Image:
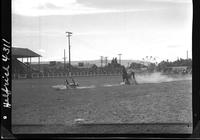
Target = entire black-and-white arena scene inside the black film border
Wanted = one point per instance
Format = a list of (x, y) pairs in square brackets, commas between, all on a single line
[(102, 66)]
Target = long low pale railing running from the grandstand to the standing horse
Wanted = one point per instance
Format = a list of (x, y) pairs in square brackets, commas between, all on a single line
[(61, 75)]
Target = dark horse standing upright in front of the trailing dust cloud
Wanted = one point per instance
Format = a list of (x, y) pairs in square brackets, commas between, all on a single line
[(128, 75)]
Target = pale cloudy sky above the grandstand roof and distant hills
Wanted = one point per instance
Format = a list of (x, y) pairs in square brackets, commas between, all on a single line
[(134, 28)]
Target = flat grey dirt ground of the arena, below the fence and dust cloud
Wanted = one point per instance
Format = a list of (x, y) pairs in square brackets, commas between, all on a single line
[(107, 107)]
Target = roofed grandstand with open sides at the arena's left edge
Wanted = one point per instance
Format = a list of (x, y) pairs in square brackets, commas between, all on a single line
[(23, 67)]
